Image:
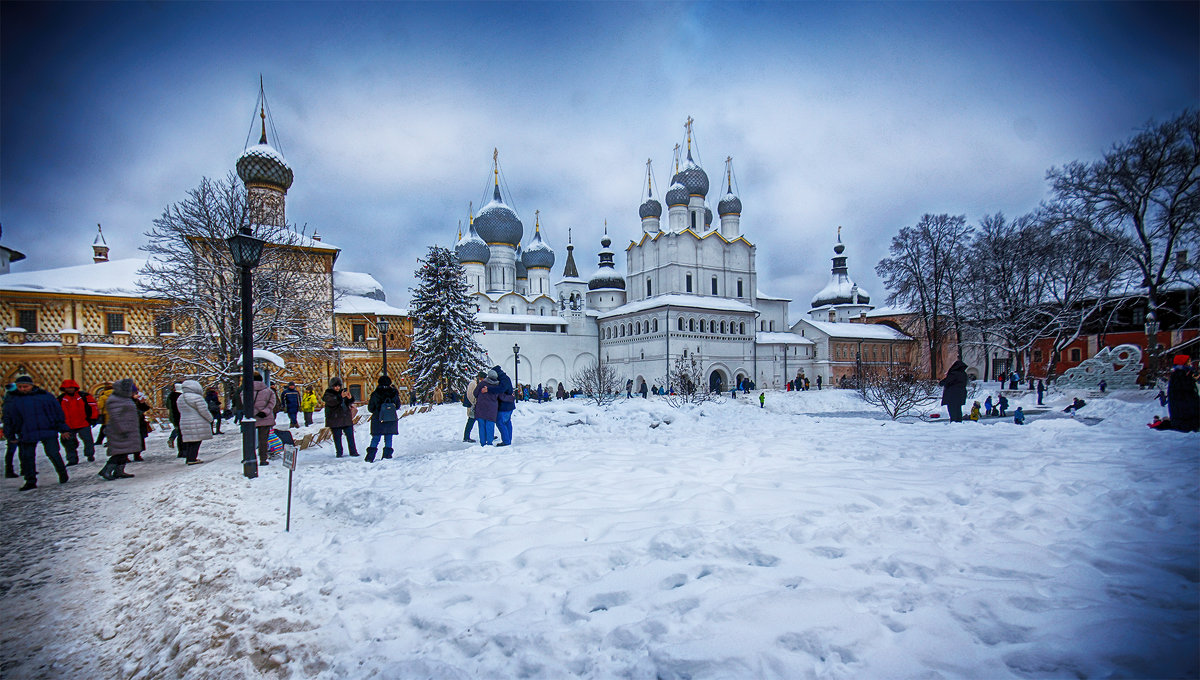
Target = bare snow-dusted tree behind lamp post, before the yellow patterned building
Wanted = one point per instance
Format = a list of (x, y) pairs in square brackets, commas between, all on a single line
[(191, 272)]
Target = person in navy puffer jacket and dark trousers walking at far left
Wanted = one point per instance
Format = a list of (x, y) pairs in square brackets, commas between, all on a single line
[(35, 417)]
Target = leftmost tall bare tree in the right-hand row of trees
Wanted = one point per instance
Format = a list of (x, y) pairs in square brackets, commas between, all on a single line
[(925, 272)]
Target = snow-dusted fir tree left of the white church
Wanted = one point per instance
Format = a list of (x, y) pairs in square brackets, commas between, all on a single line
[(445, 352)]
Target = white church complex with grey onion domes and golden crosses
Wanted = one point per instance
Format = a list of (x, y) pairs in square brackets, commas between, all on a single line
[(689, 290)]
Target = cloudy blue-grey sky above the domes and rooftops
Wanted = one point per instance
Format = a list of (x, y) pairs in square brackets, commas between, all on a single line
[(862, 116)]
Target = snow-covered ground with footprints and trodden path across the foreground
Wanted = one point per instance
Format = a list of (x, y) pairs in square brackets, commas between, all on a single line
[(640, 541)]
